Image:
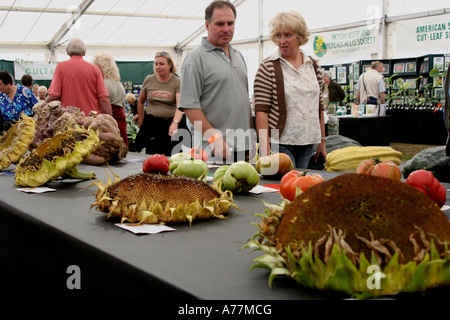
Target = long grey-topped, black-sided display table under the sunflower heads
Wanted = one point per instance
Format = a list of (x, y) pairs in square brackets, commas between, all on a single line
[(42, 235)]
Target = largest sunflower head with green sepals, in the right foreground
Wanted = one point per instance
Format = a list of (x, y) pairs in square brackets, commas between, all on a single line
[(358, 234)]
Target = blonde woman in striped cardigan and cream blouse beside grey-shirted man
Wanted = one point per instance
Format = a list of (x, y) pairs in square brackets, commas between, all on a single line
[(288, 94)]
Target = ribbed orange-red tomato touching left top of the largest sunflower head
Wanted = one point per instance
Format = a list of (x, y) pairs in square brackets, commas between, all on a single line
[(294, 181)]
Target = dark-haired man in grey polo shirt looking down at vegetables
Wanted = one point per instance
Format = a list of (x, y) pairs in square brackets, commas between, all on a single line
[(214, 88)]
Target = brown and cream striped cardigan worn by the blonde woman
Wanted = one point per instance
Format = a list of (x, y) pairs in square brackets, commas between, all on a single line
[(269, 95)]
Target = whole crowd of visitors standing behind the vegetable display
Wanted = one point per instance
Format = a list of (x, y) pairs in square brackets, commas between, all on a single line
[(210, 97)]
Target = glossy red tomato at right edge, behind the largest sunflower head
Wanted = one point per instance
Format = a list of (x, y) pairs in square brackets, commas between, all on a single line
[(425, 181)]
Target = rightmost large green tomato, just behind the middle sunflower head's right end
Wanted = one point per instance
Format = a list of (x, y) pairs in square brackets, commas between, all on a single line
[(240, 177)]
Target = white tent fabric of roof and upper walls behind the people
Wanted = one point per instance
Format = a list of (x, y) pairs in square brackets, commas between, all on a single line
[(134, 30)]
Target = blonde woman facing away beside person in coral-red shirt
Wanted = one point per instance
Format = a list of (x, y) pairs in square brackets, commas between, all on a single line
[(111, 76)]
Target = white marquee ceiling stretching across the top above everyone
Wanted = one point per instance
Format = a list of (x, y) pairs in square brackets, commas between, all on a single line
[(155, 24)]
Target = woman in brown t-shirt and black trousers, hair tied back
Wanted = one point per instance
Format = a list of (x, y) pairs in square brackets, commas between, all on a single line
[(158, 116)]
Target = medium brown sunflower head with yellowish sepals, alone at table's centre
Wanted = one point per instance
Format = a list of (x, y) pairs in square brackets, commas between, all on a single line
[(155, 198)]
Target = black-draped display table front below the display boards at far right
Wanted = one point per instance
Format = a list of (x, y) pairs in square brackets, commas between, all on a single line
[(421, 126)]
